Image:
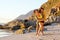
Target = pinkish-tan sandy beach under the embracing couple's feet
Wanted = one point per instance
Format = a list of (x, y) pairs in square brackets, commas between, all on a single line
[(52, 33)]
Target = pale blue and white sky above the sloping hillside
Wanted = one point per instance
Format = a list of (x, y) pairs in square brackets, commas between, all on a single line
[(10, 9)]
